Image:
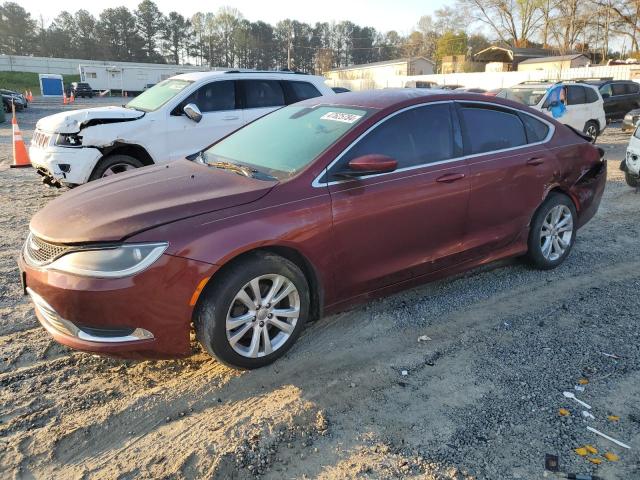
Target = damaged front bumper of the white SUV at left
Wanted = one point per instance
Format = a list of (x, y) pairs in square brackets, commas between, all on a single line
[(61, 165)]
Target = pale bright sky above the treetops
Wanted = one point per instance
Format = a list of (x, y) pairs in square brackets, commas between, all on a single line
[(384, 15)]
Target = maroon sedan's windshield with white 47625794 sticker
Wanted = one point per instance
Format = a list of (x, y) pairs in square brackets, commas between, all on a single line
[(287, 140)]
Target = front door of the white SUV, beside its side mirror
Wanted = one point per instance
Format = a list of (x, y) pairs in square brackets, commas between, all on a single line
[(217, 102)]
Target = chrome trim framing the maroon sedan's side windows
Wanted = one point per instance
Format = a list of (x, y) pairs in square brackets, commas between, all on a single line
[(316, 181)]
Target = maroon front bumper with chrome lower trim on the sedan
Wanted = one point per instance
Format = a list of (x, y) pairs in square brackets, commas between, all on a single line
[(147, 315)]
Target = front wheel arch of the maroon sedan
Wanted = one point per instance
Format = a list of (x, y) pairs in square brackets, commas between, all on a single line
[(316, 288)]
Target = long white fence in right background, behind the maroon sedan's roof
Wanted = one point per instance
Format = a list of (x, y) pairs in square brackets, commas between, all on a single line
[(491, 80)]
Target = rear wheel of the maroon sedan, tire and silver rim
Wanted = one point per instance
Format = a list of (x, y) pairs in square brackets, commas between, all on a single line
[(537, 254)]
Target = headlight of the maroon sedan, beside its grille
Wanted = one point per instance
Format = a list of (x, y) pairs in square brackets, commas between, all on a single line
[(116, 262)]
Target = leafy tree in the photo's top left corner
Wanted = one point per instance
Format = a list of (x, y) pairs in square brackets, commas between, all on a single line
[(17, 30)]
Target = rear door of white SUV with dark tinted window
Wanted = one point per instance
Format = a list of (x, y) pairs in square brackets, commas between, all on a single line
[(259, 97)]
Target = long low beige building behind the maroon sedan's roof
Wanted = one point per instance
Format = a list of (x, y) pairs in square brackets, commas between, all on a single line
[(386, 69)]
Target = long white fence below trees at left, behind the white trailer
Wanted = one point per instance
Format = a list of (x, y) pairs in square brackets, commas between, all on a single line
[(69, 66)]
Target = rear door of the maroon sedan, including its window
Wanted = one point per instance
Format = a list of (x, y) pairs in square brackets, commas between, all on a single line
[(509, 170)]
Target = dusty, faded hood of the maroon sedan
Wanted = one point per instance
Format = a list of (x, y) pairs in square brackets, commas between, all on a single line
[(110, 210)]
